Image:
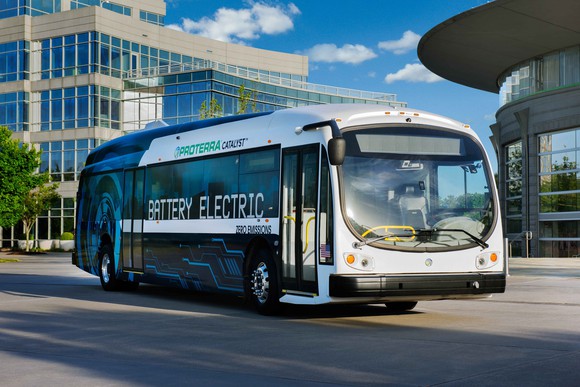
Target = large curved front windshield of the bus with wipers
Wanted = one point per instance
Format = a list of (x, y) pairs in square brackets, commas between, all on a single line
[(416, 188)]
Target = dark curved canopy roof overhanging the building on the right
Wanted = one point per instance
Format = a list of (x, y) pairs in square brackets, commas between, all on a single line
[(475, 47)]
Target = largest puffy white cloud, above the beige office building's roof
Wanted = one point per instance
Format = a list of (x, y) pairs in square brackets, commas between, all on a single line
[(238, 25)]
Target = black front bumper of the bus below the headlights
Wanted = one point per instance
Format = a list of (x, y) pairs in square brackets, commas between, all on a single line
[(384, 285)]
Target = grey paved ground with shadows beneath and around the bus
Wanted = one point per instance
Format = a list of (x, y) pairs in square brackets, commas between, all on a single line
[(58, 327)]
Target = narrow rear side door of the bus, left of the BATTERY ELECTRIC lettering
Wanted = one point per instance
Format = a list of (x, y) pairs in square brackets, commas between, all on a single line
[(133, 220)]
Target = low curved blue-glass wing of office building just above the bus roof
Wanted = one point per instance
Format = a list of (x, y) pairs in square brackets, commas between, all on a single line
[(177, 98)]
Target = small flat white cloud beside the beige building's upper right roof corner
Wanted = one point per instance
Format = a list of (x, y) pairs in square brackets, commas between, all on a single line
[(348, 53)]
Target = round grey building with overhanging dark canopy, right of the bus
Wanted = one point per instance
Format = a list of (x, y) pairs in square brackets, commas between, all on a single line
[(528, 52)]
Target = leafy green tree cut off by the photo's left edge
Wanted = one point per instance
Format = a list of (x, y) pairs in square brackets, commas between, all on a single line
[(18, 163)]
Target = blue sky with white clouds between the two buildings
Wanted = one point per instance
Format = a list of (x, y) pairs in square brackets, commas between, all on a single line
[(368, 45)]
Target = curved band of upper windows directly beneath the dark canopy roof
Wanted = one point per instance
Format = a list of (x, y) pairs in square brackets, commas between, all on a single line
[(547, 72)]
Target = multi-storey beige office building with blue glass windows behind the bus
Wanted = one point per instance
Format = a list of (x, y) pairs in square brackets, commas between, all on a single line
[(77, 73)]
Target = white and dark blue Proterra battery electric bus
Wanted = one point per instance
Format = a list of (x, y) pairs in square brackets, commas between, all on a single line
[(313, 205)]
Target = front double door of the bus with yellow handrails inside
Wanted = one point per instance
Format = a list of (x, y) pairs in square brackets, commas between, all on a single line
[(299, 214)]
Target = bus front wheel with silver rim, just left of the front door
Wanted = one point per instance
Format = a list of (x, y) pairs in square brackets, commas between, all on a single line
[(262, 287)]
